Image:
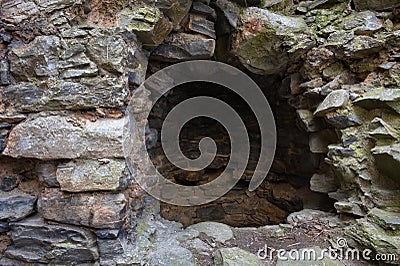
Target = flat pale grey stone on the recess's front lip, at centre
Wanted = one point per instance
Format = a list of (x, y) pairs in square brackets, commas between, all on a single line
[(220, 232)]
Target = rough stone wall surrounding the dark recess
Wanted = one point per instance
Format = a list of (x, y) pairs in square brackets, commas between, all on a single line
[(68, 68)]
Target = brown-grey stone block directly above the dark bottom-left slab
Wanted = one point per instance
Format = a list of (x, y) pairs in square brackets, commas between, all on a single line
[(94, 210)]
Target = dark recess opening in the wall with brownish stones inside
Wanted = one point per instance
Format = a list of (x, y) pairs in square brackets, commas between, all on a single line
[(286, 187)]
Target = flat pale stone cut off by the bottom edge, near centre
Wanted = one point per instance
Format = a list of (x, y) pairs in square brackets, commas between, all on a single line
[(235, 257)]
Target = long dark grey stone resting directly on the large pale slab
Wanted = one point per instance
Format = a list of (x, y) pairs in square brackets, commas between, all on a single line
[(59, 95)]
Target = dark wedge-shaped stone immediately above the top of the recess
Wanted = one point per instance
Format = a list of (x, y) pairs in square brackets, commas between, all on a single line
[(183, 46)]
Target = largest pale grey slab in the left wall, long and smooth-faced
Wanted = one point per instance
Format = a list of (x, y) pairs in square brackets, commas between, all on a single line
[(58, 137)]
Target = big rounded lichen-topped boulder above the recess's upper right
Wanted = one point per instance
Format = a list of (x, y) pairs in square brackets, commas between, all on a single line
[(266, 40)]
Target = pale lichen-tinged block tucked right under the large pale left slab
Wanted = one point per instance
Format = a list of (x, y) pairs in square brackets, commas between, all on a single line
[(90, 175)]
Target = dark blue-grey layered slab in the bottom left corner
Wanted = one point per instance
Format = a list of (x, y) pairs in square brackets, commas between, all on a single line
[(38, 242)]
